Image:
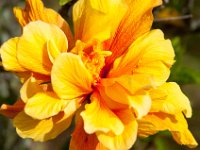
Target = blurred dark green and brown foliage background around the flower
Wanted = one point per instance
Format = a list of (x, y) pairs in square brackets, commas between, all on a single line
[(179, 20)]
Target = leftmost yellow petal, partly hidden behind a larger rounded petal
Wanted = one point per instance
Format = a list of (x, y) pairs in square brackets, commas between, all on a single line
[(8, 53)]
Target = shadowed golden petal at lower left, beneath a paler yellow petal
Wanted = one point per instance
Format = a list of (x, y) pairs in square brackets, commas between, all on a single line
[(41, 130)]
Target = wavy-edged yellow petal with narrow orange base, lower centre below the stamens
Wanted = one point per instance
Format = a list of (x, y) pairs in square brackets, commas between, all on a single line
[(97, 117)]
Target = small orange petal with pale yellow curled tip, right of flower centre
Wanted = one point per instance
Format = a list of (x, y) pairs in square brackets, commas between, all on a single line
[(140, 101)]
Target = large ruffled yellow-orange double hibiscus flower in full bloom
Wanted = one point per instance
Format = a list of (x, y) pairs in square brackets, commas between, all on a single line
[(113, 77)]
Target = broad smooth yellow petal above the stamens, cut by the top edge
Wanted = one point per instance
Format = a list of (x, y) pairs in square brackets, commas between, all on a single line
[(97, 19)]
